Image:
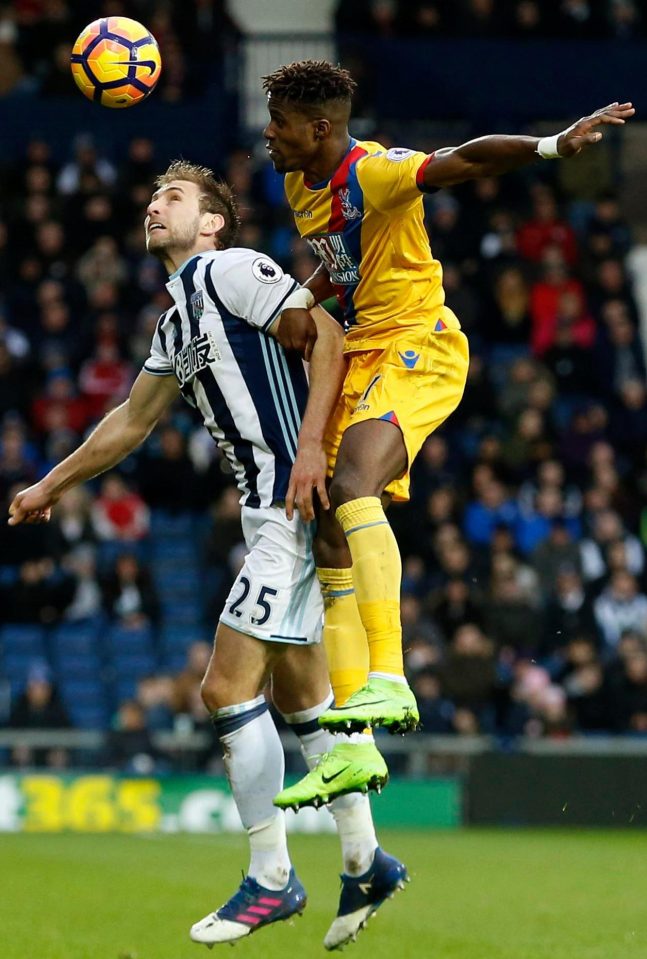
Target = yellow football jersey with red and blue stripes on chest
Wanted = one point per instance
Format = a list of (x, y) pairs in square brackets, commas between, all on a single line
[(366, 226)]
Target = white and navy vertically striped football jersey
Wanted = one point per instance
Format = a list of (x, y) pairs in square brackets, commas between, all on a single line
[(251, 393)]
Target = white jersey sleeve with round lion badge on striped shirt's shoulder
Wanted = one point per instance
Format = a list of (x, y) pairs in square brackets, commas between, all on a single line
[(251, 286)]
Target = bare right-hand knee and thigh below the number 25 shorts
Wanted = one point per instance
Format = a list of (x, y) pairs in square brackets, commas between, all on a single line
[(300, 678)]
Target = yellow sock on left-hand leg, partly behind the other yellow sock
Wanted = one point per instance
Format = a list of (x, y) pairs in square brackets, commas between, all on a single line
[(344, 634)]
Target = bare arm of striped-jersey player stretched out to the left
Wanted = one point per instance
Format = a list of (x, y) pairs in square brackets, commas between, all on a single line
[(117, 435)]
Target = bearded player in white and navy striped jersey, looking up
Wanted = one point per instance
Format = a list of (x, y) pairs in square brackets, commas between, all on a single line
[(216, 346)]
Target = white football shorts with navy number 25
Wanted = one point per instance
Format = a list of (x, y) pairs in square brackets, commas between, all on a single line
[(276, 596)]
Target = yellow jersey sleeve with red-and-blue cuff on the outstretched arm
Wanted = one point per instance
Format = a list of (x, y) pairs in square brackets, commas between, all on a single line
[(393, 179)]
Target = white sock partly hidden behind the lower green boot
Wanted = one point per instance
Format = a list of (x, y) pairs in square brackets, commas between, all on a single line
[(352, 813)]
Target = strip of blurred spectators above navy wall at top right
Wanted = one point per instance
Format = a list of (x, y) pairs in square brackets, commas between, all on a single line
[(512, 19)]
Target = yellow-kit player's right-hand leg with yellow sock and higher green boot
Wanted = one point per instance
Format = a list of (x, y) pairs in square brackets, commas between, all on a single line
[(372, 453)]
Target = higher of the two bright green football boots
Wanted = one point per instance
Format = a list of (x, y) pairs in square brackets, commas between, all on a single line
[(382, 702)]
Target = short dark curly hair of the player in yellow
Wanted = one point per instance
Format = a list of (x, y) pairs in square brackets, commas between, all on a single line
[(310, 82)]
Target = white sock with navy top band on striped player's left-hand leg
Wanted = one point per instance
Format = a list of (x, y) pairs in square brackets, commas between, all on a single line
[(254, 763)]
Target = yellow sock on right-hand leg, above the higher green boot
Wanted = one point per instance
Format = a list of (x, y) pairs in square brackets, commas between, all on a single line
[(377, 574)]
